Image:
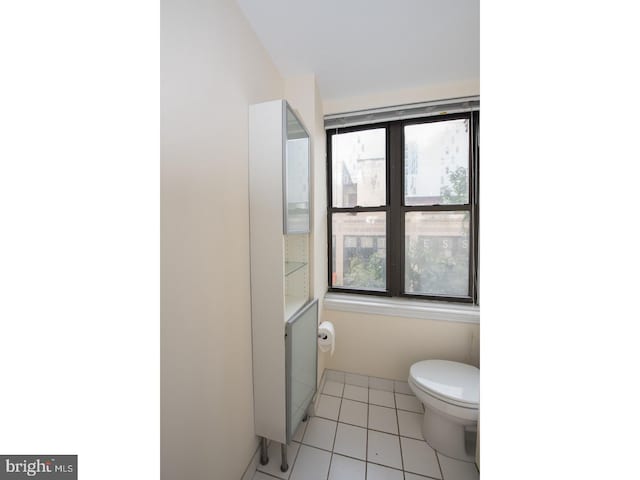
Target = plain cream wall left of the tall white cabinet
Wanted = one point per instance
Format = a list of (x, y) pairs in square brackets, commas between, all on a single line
[(213, 67)]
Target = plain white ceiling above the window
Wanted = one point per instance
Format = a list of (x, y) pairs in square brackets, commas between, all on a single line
[(356, 47)]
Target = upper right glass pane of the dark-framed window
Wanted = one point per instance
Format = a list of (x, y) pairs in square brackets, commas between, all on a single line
[(436, 163)]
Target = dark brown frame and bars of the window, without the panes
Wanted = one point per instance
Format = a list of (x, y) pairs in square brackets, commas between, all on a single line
[(395, 209)]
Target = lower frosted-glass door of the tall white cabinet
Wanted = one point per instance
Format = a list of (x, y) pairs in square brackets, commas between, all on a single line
[(301, 364)]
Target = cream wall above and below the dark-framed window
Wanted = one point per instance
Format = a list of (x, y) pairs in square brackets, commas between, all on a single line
[(385, 346)]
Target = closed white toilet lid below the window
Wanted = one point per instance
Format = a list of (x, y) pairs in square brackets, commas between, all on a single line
[(450, 381)]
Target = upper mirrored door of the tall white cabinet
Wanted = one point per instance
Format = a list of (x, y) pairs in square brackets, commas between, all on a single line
[(296, 174)]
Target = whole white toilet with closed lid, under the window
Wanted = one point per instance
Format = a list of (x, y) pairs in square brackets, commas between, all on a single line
[(450, 393)]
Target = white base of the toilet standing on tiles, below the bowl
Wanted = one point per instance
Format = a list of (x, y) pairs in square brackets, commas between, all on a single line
[(450, 437)]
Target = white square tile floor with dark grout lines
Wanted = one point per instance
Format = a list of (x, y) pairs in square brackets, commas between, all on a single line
[(364, 428)]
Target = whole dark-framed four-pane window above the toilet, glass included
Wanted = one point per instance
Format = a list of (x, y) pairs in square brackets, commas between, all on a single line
[(403, 212)]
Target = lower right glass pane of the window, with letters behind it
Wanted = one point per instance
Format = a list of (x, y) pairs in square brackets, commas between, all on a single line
[(437, 253)]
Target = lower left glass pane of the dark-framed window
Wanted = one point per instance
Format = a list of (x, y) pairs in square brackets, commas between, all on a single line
[(359, 254)]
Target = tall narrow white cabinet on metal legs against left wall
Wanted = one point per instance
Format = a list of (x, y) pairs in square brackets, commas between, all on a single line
[(284, 319)]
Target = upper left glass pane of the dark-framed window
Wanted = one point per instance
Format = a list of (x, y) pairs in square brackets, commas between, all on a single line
[(359, 168)]
